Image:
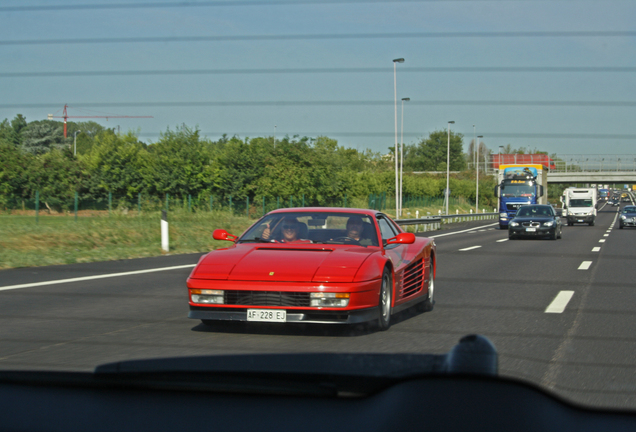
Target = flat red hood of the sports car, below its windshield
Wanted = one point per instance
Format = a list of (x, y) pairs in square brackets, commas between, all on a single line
[(277, 263)]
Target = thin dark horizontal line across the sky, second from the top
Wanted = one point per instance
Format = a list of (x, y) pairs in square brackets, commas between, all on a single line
[(323, 36)]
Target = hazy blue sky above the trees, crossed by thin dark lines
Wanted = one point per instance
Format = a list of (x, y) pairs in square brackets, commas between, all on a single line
[(555, 76)]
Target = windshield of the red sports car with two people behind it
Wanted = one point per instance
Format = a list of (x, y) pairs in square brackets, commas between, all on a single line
[(314, 227)]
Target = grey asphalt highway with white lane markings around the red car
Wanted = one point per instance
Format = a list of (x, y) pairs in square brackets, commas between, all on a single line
[(561, 313)]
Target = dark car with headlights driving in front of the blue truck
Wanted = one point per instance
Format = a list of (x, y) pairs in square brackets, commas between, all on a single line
[(535, 221)]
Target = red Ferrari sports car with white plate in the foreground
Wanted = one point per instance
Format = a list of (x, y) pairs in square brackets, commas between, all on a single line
[(315, 265)]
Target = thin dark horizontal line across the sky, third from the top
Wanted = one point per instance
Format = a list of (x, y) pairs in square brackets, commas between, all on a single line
[(358, 70)]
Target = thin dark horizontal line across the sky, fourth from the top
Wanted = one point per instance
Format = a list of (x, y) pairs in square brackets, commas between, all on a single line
[(331, 103)]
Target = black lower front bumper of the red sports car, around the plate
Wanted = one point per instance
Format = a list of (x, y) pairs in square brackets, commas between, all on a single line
[(312, 316)]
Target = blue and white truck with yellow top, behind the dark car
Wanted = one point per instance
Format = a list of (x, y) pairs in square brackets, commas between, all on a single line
[(519, 185)]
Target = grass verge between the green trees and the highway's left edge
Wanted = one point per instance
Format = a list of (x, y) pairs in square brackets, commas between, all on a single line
[(62, 240)]
